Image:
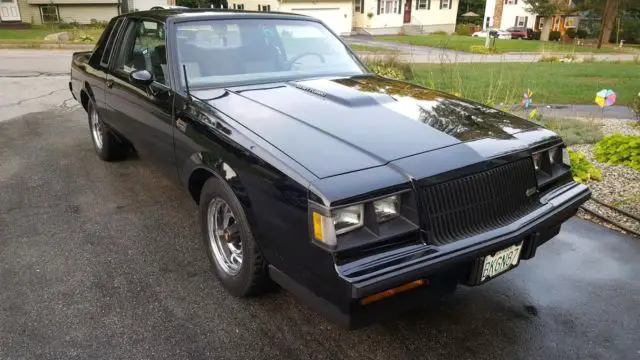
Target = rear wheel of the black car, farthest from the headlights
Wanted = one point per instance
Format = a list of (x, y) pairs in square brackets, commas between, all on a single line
[(110, 148)]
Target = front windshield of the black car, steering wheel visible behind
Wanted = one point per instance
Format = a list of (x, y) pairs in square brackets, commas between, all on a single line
[(241, 51)]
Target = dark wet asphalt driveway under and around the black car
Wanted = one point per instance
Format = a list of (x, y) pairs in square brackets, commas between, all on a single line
[(104, 261)]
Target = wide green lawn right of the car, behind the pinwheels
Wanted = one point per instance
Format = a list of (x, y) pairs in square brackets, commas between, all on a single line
[(551, 83)]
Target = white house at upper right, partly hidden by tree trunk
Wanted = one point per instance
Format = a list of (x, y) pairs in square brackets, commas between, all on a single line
[(503, 14)]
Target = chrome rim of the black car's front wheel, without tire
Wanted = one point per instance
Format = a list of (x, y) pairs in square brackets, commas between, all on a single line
[(224, 236)]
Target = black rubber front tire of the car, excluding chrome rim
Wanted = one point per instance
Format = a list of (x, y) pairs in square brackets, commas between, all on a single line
[(252, 278)]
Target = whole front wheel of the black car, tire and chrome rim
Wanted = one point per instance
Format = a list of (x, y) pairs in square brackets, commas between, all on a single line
[(234, 254)]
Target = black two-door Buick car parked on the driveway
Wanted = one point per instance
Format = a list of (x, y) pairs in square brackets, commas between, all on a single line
[(357, 193)]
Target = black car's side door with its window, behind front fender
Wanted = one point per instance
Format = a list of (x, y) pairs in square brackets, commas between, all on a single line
[(142, 113)]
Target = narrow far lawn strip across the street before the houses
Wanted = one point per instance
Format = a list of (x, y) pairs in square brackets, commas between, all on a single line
[(464, 43)]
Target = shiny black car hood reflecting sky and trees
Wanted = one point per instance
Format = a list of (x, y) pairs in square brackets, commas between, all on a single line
[(339, 125)]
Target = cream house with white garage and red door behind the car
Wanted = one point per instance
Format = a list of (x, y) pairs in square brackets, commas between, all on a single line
[(367, 16)]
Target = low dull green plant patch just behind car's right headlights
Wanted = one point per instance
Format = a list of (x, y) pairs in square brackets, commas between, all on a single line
[(573, 131)]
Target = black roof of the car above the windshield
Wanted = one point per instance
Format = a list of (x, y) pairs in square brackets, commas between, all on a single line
[(187, 14)]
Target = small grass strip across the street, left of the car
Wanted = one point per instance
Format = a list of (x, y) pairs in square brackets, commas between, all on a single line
[(36, 34)]
